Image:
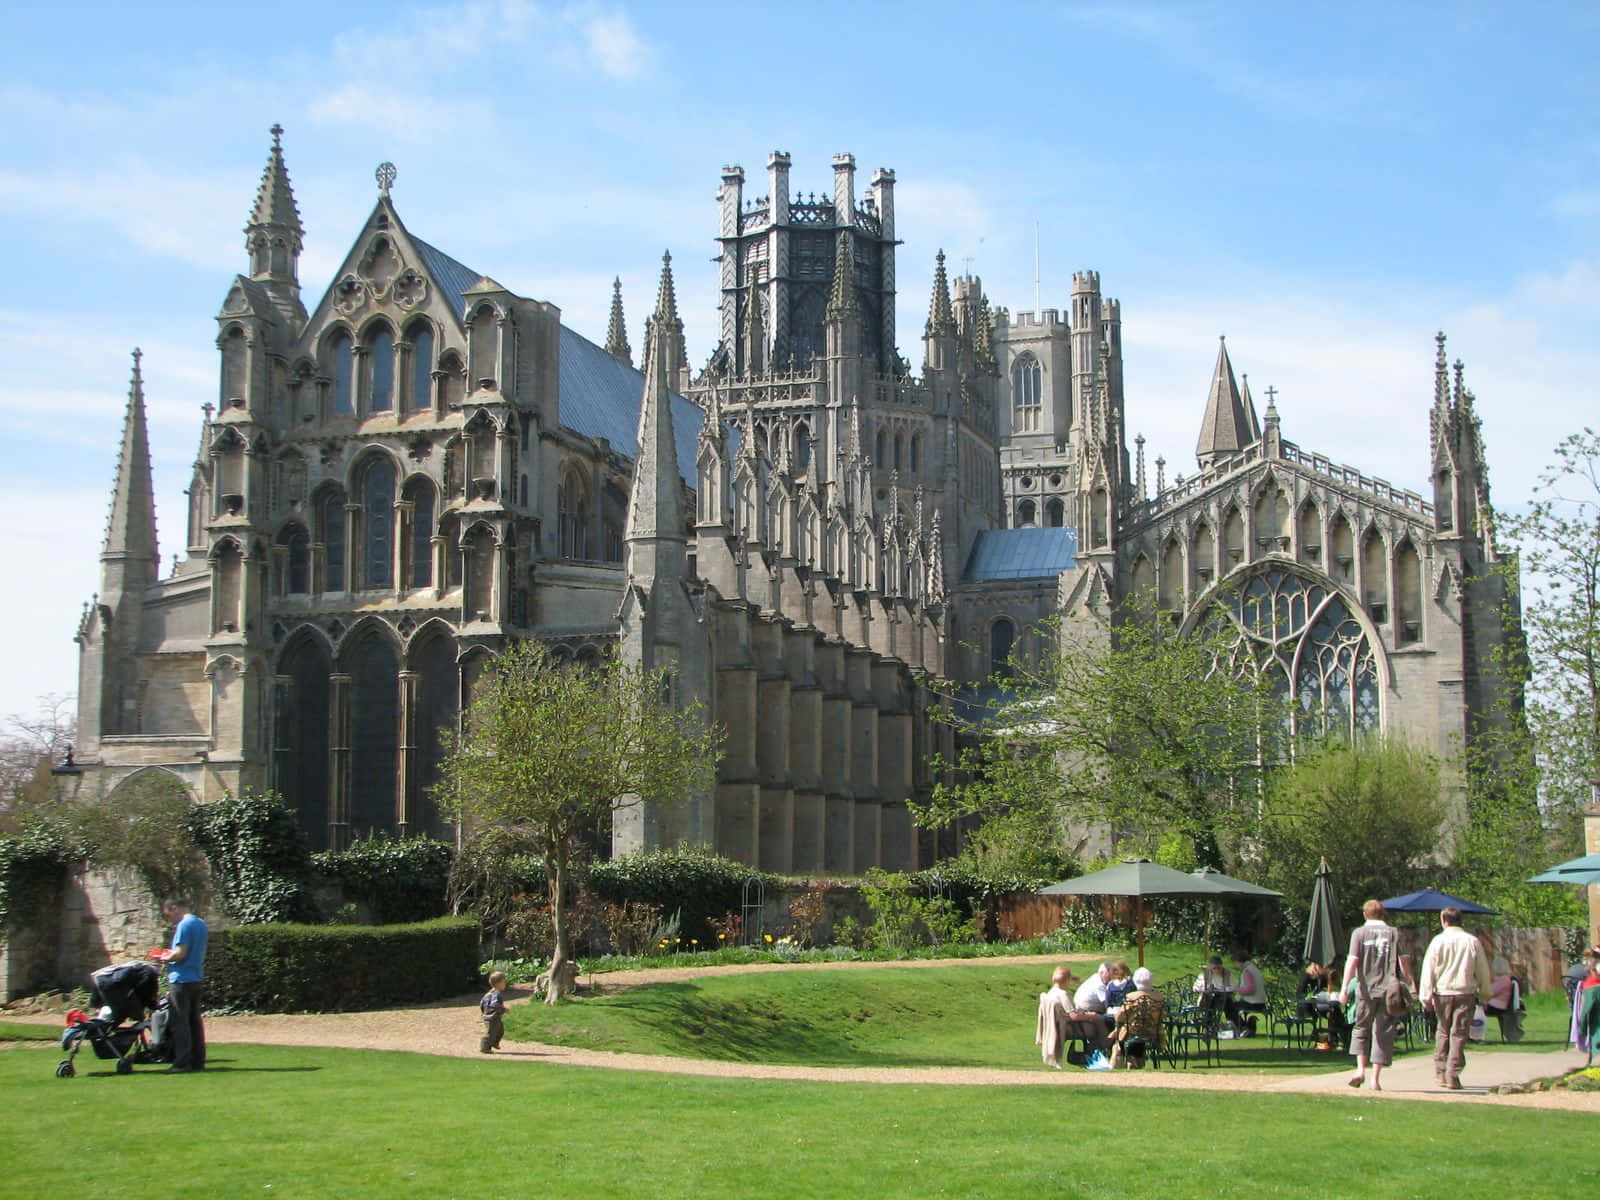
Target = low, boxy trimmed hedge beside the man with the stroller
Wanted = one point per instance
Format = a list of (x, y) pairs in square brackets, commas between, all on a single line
[(342, 969)]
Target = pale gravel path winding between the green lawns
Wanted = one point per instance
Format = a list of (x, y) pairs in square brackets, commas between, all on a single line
[(452, 1030)]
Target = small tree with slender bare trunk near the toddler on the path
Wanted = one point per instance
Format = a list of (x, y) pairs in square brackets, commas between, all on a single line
[(551, 754)]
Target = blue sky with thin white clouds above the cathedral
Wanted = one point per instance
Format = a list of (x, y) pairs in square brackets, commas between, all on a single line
[(1327, 188)]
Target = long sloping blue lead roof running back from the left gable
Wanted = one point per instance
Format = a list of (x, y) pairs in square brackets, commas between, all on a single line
[(601, 396)]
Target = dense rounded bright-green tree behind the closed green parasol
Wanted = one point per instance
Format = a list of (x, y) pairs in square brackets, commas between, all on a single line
[(1374, 809)]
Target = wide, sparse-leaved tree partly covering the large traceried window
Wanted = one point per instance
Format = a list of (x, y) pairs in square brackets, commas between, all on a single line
[(1137, 729)]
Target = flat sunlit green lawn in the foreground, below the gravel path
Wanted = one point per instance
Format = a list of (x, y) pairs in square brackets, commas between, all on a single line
[(290, 1122)]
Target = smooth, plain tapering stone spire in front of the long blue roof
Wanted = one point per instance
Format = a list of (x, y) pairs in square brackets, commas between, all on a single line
[(655, 535)]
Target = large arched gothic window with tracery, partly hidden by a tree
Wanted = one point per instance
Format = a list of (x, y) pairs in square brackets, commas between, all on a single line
[(1305, 638)]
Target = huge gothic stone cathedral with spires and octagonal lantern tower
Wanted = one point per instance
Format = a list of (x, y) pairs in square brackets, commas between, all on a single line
[(807, 535)]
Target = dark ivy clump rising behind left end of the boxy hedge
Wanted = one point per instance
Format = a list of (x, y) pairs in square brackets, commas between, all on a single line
[(258, 855)]
